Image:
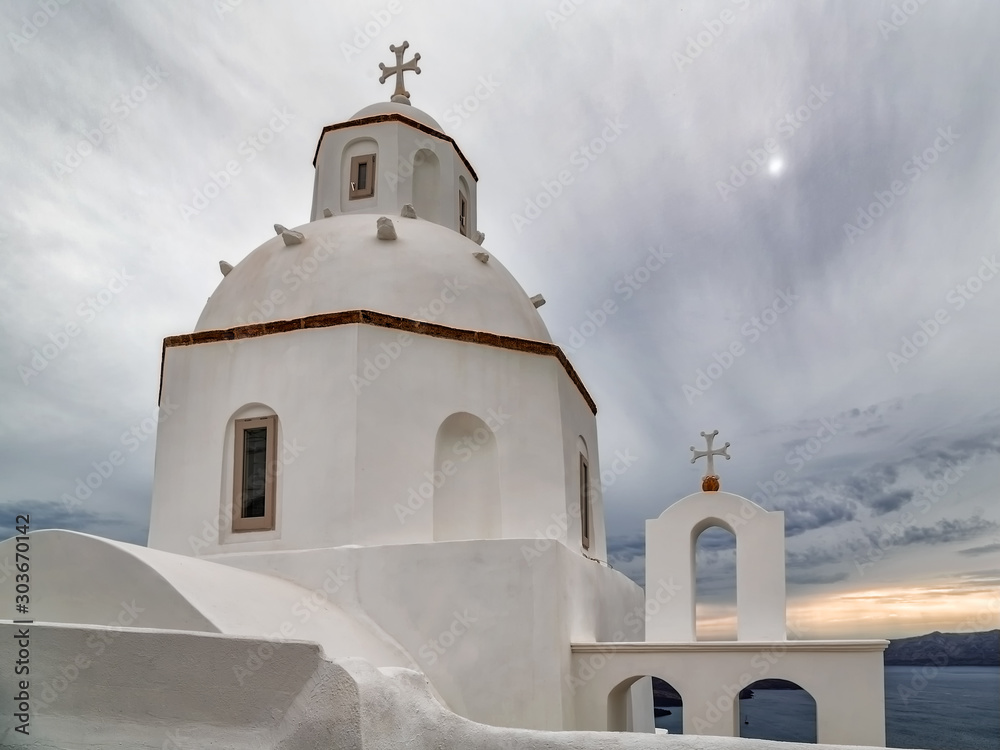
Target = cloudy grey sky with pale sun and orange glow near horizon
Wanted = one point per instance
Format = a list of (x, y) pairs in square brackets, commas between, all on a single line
[(778, 220)]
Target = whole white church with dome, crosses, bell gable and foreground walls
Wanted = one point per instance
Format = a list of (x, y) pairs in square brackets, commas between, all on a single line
[(377, 518)]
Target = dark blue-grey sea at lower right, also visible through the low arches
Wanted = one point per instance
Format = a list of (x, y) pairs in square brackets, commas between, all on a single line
[(947, 708)]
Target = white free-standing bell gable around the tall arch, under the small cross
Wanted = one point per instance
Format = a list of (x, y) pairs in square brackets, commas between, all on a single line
[(760, 565)]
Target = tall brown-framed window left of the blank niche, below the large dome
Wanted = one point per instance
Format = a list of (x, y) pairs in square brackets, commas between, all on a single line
[(253, 476)]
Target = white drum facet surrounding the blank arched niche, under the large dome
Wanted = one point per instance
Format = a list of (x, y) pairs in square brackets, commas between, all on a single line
[(516, 394)]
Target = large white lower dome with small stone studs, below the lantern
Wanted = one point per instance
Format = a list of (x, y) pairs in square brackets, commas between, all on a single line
[(429, 273)]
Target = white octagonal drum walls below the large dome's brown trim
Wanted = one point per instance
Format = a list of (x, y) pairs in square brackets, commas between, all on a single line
[(355, 467)]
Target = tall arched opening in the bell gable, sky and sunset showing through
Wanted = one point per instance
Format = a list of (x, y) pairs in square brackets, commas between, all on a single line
[(715, 584)]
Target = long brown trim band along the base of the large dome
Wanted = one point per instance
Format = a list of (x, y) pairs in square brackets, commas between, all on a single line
[(381, 320)]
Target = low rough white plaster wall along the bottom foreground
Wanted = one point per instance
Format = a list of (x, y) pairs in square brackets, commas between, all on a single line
[(157, 689)]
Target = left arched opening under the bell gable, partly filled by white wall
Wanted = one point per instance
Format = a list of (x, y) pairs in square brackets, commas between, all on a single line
[(645, 704)]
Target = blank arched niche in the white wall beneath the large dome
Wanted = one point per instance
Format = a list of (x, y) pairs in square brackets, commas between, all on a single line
[(466, 480)]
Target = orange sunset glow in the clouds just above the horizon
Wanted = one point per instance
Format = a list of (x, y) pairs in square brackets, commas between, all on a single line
[(889, 612)]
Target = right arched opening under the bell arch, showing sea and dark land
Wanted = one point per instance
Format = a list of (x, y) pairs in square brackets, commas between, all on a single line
[(775, 709)]
